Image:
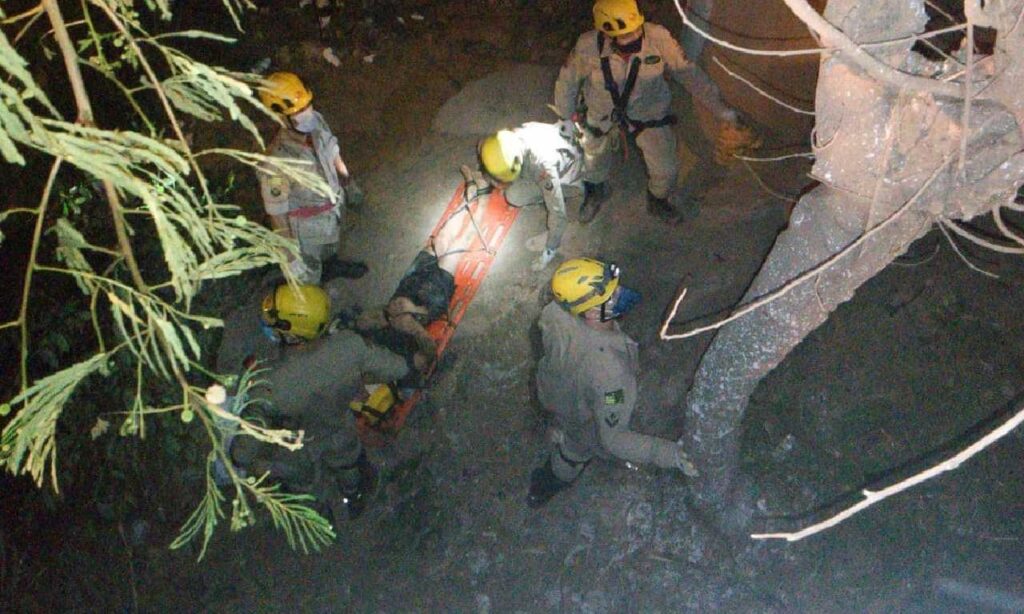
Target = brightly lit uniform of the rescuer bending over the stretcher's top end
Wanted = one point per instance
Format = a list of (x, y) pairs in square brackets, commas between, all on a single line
[(552, 162)]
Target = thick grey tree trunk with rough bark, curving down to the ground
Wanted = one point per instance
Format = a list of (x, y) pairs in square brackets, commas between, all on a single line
[(884, 156)]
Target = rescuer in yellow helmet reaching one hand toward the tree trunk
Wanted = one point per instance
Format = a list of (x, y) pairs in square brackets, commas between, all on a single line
[(587, 379)]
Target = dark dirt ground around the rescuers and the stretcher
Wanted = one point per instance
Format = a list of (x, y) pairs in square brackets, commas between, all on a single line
[(899, 377)]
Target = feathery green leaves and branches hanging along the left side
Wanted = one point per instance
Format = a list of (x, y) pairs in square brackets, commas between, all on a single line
[(145, 185)]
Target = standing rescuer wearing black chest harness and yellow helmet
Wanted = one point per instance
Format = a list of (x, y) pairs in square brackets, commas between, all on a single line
[(621, 69)]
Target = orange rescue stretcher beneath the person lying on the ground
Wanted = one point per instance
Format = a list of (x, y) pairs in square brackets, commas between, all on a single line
[(381, 414)]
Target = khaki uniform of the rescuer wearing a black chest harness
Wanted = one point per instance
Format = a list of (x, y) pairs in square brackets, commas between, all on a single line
[(648, 108)]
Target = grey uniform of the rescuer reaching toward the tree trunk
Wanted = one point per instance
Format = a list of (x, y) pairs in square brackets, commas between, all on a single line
[(588, 380)]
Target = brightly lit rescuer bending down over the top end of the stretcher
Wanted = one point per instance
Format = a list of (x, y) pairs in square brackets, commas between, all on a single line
[(536, 163)]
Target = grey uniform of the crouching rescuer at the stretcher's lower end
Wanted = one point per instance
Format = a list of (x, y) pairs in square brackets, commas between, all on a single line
[(312, 385)]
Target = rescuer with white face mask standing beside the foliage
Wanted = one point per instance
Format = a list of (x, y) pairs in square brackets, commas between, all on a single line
[(296, 211)]
